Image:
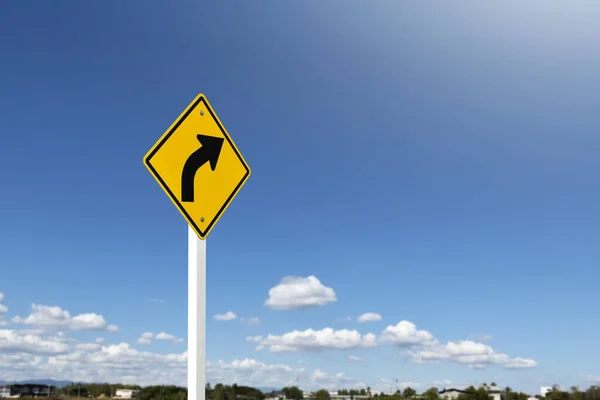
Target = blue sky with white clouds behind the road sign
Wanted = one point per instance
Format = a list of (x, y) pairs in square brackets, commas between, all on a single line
[(431, 163)]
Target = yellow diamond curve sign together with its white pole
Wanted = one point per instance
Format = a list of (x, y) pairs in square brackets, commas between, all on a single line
[(201, 170)]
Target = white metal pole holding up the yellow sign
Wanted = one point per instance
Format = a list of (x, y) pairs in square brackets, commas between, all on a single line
[(196, 316)]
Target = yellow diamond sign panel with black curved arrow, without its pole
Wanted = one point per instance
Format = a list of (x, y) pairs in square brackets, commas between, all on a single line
[(198, 166)]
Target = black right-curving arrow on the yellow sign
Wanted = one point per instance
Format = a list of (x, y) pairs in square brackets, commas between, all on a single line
[(209, 152)]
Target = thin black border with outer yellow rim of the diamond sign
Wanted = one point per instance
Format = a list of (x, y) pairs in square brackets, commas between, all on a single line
[(147, 160)]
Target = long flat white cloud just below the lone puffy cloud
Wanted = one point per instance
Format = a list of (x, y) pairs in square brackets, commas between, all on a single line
[(315, 340)]
